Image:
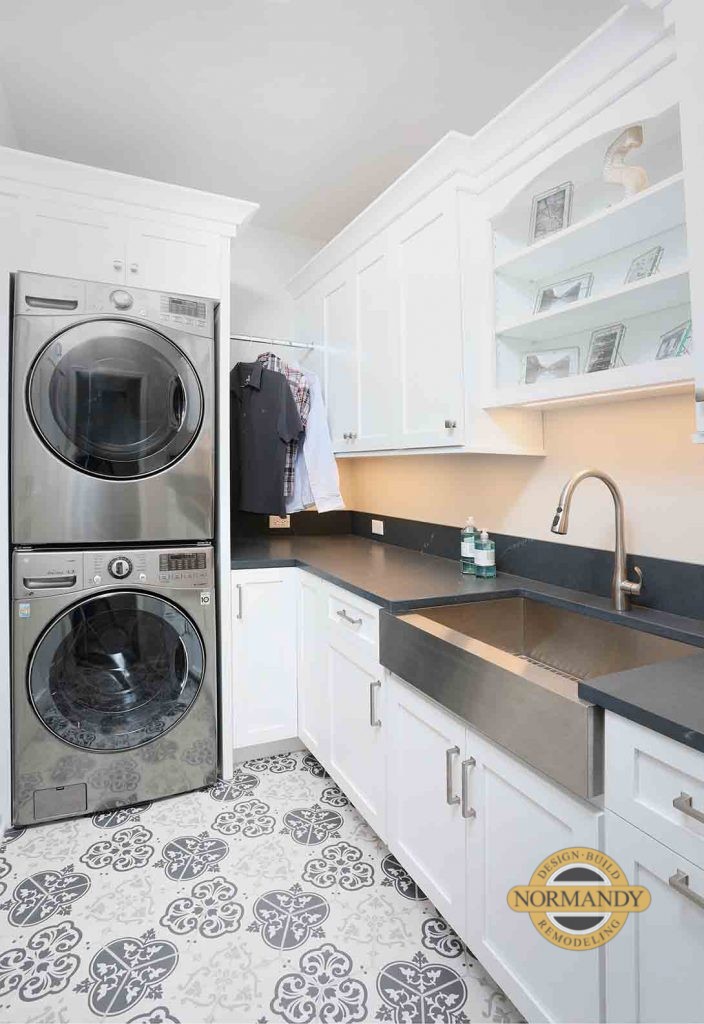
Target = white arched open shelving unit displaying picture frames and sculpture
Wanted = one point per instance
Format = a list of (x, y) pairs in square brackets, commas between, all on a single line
[(599, 250)]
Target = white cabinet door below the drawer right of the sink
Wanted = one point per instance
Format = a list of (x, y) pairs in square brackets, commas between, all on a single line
[(653, 966)]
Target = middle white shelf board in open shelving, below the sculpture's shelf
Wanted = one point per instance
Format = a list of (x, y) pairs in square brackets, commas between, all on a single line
[(637, 300)]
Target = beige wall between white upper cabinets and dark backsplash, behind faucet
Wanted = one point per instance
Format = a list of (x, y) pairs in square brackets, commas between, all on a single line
[(644, 445)]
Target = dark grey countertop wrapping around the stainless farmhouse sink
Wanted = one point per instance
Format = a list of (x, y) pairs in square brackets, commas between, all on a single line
[(668, 698)]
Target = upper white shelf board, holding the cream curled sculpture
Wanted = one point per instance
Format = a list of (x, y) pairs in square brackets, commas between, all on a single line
[(650, 212)]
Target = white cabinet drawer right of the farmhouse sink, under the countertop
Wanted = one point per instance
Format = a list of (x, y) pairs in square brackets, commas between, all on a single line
[(657, 785)]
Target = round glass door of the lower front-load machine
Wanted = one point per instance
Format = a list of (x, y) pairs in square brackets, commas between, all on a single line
[(116, 671)]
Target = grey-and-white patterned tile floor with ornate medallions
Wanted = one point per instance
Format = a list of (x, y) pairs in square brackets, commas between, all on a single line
[(265, 900)]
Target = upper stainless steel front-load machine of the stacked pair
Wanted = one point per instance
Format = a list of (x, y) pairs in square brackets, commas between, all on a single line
[(112, 414)]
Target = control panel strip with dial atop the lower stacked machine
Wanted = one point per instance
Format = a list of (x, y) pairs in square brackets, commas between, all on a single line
[(46, 574)]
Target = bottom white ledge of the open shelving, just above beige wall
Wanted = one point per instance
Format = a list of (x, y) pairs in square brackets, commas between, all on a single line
[(637, 381)]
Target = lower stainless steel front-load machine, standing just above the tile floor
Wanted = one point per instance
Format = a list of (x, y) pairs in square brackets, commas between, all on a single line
[(114, 678)]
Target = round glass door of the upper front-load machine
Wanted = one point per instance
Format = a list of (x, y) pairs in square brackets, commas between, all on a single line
[(115, 399)]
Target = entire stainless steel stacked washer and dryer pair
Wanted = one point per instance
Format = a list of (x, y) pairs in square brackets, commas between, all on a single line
[(114, 629)]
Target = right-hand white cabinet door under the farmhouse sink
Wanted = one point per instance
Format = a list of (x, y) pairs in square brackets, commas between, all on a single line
[(522, 818)]
